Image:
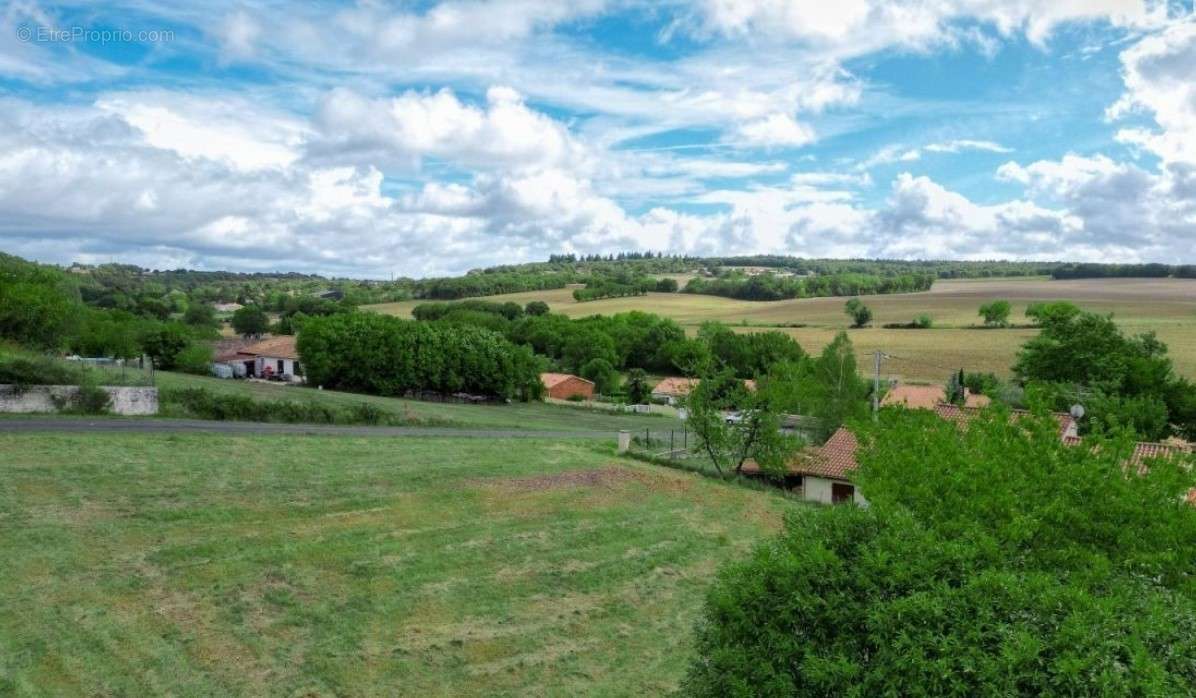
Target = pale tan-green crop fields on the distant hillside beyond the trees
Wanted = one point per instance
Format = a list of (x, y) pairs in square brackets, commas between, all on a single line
[(1167, 307)]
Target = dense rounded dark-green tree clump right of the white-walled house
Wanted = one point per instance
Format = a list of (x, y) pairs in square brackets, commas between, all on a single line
[(383, 356)]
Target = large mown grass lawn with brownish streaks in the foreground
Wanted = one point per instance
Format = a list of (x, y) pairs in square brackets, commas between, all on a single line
[(200, 565)]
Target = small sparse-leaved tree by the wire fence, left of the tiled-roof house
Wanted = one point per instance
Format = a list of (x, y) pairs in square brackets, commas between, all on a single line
[(755, 434)]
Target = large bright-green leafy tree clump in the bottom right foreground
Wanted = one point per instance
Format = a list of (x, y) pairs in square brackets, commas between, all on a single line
[(991, 561)]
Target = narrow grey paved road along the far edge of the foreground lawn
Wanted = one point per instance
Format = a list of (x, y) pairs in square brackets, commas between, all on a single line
[(155, 426)]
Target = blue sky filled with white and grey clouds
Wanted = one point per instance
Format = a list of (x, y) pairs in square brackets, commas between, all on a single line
[(428, 138)]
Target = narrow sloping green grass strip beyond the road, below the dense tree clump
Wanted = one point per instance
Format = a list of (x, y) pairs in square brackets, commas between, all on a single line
[(532, 417)]
